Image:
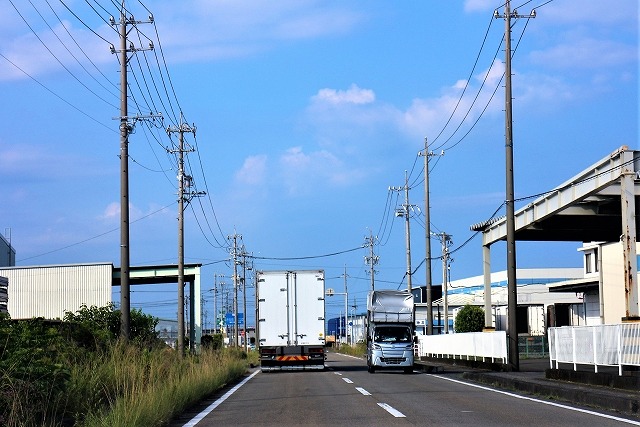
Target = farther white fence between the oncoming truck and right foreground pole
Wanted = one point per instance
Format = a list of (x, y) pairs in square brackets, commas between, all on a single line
[(470, 345)]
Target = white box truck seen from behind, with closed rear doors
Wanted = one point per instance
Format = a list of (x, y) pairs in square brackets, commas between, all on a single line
[(290, 313)]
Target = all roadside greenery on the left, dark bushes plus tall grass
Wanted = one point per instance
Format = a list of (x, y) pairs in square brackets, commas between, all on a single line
[(76, 373)]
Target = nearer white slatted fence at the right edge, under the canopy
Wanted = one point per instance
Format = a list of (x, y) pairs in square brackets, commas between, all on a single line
[(599, 345)]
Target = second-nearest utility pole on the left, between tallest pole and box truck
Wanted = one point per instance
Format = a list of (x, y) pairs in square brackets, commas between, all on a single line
[(184, 182)]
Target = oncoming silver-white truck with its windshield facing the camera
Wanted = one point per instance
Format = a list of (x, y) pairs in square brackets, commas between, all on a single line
[(390, 330)]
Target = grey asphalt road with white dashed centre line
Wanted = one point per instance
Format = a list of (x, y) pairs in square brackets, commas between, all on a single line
[(347, 395)]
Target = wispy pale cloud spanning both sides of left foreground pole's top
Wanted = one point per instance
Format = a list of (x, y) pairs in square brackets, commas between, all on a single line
[(197, 31)]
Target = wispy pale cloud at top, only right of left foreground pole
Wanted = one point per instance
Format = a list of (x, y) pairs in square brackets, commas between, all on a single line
[(227, 29)]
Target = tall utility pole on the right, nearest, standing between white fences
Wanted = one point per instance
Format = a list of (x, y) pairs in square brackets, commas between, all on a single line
[(512, 289)]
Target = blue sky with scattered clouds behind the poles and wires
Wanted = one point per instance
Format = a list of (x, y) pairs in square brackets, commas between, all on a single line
[(306, 113)]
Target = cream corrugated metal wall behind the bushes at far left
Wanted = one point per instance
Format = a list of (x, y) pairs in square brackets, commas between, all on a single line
[(49, 291)]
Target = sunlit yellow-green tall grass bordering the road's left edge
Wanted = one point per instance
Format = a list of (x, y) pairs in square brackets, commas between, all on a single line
[(148, 388)]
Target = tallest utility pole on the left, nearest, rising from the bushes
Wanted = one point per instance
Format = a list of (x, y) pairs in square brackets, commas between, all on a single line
[(126, 127)]
